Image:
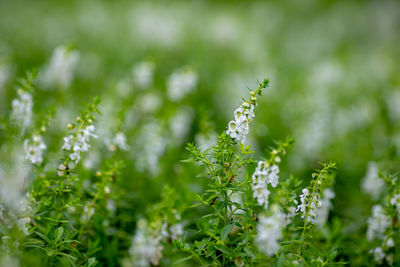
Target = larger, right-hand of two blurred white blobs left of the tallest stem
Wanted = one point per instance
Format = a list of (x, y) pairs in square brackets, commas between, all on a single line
[(180, 83)]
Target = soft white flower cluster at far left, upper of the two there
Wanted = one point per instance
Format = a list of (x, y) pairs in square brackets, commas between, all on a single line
[(22, 109)]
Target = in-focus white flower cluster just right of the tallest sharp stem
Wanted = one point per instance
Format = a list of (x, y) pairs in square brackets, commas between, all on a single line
[(262, 176)]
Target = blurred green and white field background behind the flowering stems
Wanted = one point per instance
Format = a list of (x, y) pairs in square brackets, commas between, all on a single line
[(334, 68)]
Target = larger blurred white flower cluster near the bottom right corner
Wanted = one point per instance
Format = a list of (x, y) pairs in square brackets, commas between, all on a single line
[(377, 223)]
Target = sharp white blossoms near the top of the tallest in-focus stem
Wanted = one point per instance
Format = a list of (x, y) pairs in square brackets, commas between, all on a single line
[(238, 129)]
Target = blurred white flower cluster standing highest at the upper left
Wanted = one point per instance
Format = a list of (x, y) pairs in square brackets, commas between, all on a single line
[(60, 71)]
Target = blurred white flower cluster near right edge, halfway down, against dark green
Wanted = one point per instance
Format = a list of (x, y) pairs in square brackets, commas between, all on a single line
[(371, 183)]
